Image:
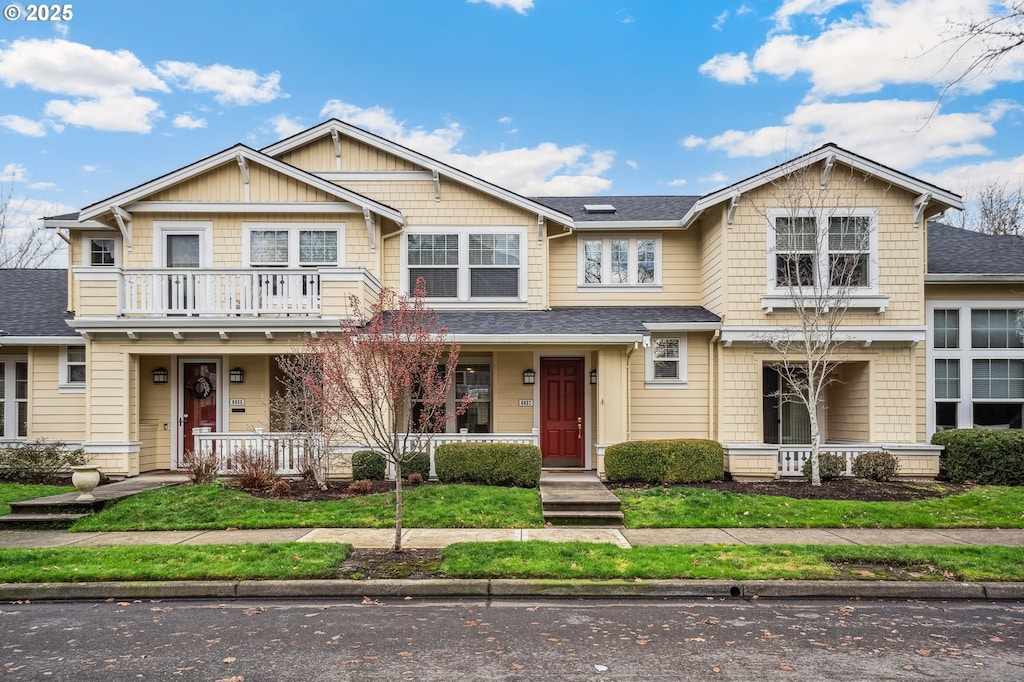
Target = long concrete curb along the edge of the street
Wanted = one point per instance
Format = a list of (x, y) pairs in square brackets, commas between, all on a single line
[(487, 589)]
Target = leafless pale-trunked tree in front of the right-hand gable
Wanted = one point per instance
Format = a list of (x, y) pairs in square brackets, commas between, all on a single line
[(822, 246)]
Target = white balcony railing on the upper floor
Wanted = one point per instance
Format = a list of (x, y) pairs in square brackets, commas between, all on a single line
[(221, 292)]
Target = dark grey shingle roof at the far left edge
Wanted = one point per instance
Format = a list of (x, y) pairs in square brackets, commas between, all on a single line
[(33, 303)]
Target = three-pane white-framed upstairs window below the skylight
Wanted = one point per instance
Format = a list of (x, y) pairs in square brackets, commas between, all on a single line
[(620, 262)]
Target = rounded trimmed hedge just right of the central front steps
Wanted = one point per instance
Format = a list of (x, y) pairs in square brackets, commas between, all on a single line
[(675, 461)]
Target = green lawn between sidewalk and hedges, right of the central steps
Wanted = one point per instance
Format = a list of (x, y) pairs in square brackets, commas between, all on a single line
[(983, 507)]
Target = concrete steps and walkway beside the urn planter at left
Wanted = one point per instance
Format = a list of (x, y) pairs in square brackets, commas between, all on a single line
[(61, 511)]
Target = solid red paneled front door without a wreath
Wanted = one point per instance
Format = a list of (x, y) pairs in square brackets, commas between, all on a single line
[(562, 412)]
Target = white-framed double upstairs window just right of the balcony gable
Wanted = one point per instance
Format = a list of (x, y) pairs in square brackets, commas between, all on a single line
[(466, 265)]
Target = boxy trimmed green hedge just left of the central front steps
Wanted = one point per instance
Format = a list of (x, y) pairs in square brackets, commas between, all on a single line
[(489, 464)]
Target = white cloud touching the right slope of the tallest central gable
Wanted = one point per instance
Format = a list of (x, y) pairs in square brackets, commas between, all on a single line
[(544, 169)]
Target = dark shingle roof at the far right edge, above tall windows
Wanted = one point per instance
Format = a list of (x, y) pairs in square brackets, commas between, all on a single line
[(957, 251)]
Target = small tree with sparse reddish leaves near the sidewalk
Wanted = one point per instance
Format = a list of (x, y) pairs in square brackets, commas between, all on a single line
[(382, 381)]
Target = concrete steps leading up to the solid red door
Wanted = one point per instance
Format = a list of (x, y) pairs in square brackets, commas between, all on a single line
[(578, 498)]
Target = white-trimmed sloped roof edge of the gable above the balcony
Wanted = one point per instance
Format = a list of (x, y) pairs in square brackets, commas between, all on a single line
[(229, 155)]
